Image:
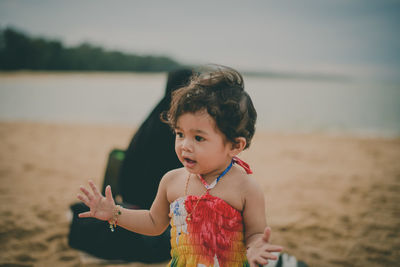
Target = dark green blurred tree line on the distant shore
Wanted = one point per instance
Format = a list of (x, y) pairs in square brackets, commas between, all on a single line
[(19, 51)]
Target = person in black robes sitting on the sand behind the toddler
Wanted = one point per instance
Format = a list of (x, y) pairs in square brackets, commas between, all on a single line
[(149, 156)]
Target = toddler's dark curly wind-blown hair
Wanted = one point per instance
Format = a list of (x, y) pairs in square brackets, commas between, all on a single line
[(219, 91)]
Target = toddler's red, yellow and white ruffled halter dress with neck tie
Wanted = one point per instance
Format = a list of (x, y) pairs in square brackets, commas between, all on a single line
[(207, 231)]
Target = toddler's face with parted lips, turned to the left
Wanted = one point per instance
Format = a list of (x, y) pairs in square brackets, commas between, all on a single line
[(200, 146)]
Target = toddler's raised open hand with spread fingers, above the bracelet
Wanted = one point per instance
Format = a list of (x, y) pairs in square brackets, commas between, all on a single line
[(100, 207)]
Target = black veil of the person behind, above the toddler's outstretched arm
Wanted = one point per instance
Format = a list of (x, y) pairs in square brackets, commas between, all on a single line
[(151, 152)]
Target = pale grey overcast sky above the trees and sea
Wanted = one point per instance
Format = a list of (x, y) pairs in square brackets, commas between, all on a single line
[(359, 37)]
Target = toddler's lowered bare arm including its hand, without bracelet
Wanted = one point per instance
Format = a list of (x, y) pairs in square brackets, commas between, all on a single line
[(256, 232)]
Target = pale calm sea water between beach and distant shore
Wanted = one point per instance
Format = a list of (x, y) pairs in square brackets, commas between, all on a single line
[(348, 106)]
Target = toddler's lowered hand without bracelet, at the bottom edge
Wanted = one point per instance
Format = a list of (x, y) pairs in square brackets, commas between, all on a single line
[(259, 252)]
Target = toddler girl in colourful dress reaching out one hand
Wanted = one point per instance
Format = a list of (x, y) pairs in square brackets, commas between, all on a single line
[(216, 210)]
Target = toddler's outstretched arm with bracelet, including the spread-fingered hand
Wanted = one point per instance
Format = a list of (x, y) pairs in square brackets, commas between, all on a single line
[(147, 222)]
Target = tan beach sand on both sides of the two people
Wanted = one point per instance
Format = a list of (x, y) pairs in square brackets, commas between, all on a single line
[(331, 200)]
